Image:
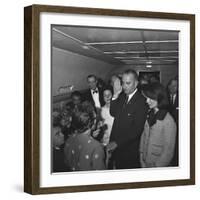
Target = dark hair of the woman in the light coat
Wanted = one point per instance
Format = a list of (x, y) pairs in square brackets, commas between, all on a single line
[(156, 91)]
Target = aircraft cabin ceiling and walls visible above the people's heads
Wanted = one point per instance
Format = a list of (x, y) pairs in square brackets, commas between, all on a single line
[(79, 51)]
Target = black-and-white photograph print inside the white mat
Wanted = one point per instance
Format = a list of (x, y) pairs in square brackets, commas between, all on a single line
[(114, 98)]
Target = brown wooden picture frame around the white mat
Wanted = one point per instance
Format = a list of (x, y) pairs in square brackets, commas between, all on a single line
[(32, 92)]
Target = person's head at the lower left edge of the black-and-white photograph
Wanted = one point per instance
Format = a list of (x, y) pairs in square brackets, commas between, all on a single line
[(58, 136)]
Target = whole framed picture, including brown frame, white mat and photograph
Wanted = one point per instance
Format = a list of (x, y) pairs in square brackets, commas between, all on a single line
[(109, 99)]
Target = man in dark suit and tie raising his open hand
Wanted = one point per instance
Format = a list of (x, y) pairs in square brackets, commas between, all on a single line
[(129, 110)]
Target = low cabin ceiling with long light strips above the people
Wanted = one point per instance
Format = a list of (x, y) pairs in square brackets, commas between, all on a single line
[(119, 46)]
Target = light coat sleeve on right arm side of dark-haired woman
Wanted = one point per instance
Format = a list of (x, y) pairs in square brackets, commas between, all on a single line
[(169, 137)]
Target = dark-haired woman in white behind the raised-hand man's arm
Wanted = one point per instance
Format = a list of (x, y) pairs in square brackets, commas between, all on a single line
[(105, 114)]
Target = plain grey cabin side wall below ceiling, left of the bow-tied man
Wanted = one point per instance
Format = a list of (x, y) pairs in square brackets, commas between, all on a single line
[(69, 68)]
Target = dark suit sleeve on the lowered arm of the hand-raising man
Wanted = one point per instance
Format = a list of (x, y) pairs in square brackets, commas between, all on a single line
[(137, 126)]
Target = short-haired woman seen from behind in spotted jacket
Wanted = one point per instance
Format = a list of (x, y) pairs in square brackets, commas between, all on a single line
[(82, 151)]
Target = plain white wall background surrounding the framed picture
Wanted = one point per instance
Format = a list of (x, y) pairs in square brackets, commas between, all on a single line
[(11, 101)]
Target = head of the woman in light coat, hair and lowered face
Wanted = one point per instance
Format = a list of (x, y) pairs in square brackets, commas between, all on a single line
[(155, 95)]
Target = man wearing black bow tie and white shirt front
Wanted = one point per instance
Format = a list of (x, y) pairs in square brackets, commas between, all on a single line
[(94, 94)]
